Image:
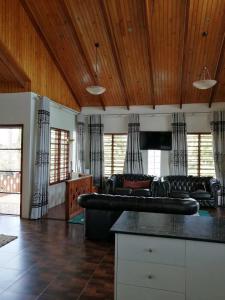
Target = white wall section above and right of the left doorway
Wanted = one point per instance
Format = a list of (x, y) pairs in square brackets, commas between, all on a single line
[(18, 108)]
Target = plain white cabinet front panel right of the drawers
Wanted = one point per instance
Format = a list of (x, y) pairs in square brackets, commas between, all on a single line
[(205, 263)]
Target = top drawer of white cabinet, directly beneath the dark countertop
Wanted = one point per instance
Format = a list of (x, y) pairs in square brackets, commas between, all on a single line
[(151, 249)]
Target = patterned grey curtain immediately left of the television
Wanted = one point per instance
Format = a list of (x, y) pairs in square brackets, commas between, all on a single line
[(133, 160)]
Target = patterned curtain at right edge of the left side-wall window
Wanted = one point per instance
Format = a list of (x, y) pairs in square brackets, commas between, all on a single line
[(80, 144)]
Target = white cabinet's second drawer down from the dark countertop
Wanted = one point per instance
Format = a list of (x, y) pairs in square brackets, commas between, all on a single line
[(155, 276)]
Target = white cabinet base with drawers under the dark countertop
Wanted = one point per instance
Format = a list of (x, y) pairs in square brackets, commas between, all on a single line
[(153, 268)]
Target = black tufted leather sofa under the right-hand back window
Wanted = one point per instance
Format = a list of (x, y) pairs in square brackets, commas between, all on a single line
[(203, 189)]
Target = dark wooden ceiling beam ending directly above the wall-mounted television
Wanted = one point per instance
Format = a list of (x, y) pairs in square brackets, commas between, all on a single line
[(148, 21)]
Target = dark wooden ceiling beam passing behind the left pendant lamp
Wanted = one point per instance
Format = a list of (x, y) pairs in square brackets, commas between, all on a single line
[(78, 41)]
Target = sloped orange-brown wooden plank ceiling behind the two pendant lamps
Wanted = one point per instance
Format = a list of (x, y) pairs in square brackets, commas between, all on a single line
[(150, 51)]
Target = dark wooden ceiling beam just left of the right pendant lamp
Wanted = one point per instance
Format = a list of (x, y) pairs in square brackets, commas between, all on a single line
[(185, 33)]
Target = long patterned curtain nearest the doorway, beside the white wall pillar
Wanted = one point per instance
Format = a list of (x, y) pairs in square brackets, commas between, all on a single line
[(39, 205)]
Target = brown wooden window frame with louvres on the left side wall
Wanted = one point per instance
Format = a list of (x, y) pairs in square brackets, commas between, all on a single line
[(59, 157)]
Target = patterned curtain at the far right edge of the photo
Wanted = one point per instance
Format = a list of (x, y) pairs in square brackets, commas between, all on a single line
[(218, 132)]
